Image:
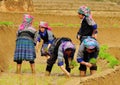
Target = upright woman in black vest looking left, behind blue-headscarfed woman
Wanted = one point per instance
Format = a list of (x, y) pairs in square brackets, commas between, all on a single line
[(88, 26)]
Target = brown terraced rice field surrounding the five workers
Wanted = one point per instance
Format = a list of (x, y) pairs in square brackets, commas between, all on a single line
[(61, 15)]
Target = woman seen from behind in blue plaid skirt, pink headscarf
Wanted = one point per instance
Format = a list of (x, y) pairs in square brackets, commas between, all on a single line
[(25, 43)]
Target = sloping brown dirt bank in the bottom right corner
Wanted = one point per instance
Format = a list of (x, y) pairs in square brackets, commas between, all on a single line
[(107, 77)]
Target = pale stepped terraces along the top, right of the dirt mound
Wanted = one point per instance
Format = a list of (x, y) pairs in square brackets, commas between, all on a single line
[(70, 7)]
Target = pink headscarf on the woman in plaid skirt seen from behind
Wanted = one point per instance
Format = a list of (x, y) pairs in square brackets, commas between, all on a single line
[(27, 21)]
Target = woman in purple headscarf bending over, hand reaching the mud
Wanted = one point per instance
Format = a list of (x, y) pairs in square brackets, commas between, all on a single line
[(62, 50)]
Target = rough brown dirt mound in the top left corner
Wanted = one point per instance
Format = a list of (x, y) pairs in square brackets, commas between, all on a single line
[(16, 5)]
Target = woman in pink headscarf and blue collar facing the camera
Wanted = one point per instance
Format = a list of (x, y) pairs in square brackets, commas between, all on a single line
[(46, 35)]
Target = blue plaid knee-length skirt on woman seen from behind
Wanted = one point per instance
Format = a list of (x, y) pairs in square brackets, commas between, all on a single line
[(25, 50)]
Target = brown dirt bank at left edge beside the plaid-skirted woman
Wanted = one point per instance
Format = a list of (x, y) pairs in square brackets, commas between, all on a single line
[(7, 44)]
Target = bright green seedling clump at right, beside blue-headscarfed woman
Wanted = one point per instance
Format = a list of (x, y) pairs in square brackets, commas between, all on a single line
[(110, 58)]
